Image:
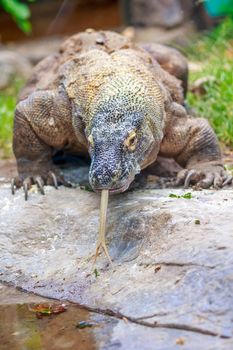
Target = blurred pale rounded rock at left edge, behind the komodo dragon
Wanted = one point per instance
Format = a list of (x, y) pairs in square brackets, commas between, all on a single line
[(13, 65)]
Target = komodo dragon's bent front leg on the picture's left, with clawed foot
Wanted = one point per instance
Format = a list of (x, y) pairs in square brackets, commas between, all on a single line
[(37, 131)]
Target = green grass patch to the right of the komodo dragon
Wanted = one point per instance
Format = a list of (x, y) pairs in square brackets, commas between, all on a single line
[(214, 51)]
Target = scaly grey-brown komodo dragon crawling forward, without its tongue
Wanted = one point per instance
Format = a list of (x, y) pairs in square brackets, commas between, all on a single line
[(121, 103)]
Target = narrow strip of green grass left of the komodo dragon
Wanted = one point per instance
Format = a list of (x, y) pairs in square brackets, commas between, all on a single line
[(8, 99)]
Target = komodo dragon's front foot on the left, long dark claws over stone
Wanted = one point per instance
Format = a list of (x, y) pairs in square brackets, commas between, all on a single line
[(26, 182)]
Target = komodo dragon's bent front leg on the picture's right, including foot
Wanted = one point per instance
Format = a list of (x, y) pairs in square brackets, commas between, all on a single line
[(193, 144)]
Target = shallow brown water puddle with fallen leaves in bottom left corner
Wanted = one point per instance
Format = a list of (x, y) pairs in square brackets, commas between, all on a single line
[(22, 328)]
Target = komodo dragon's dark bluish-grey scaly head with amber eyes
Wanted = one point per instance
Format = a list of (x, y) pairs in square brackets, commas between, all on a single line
[(121, 138)]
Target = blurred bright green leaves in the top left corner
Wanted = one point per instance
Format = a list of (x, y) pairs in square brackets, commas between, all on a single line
[(20, 12)]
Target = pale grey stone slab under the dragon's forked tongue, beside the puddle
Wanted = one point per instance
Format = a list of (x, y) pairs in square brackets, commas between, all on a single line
[(172, 262)]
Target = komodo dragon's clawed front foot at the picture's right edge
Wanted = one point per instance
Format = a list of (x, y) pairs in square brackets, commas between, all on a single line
[(204, 175)]
